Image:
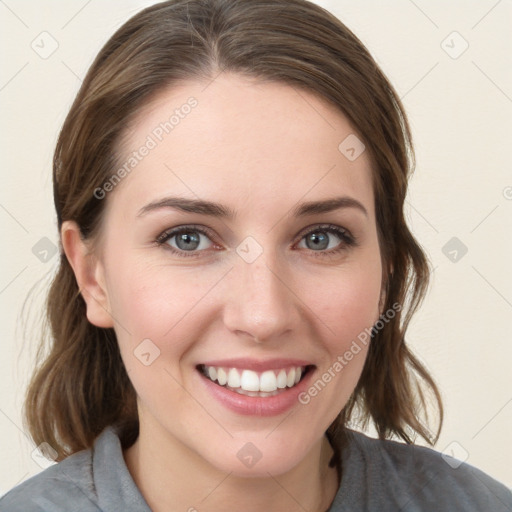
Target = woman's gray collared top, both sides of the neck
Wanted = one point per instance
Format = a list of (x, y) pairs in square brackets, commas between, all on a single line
[(378, 476)]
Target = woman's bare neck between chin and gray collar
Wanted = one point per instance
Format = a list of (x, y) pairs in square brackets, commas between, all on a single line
[(173, 478)]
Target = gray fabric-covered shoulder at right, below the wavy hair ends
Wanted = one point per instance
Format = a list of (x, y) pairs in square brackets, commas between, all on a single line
[(409, 477)]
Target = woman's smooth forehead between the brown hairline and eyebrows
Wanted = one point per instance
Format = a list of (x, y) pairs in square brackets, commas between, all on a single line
[(247, 143)]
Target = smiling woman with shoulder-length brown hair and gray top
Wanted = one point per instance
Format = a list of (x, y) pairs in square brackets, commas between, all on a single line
[(236, 278)]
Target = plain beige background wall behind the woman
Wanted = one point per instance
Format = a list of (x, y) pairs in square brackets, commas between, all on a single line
[(460, 107)]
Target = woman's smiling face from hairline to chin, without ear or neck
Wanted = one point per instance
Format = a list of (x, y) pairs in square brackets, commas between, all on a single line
[(276, 266)]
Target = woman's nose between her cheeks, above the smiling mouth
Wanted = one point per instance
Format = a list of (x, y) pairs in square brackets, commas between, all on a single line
[(261, 304)]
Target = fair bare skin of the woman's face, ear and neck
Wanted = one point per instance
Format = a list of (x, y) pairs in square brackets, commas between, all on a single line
[(260, 149)]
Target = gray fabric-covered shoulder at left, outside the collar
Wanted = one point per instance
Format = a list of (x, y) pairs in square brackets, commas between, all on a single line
[(69, 481)]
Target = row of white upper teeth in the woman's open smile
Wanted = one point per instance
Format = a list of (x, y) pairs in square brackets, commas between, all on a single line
[(250, 383)]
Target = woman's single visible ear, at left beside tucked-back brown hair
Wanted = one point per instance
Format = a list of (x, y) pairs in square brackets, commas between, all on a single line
[(89, 275)]
